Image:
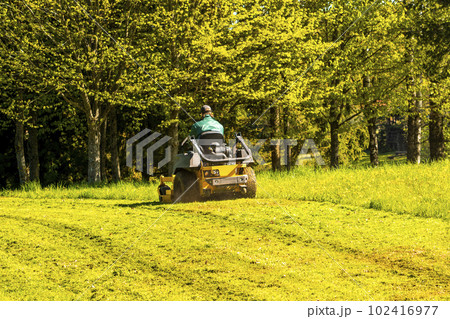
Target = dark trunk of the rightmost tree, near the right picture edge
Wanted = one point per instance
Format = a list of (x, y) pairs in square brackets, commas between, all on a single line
[(436, 138)]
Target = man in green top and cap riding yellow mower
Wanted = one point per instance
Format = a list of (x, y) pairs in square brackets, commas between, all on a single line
[(210, 167)]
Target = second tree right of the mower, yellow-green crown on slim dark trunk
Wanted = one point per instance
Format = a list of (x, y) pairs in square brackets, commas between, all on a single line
[(340, 68)]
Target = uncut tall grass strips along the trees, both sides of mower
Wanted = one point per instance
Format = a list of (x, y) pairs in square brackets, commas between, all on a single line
[(419, 190)]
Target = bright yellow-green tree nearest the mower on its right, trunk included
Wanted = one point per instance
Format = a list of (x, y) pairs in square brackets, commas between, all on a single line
[(273, 44)]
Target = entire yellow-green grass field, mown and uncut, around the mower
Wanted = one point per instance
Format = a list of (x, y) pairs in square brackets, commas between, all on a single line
[(349, 234)]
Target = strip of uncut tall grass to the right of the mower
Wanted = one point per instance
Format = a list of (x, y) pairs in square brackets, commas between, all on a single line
[(419, 190)]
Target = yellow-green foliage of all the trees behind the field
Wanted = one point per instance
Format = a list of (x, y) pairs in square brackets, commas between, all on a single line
[(306, 58)]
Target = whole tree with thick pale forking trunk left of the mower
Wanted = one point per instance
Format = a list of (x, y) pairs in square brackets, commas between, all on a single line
[(86, 65)]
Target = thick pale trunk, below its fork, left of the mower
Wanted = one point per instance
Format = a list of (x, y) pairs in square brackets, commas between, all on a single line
[(94, 137)]
